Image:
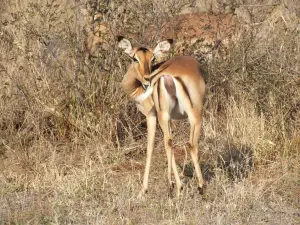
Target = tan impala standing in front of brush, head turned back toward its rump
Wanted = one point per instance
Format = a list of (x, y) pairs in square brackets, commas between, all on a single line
[(175, 90)]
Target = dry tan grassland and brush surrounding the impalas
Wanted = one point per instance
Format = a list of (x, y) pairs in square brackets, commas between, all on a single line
[(72, 147)]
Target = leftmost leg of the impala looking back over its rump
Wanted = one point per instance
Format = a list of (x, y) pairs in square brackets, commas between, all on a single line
[(151, 128)]
